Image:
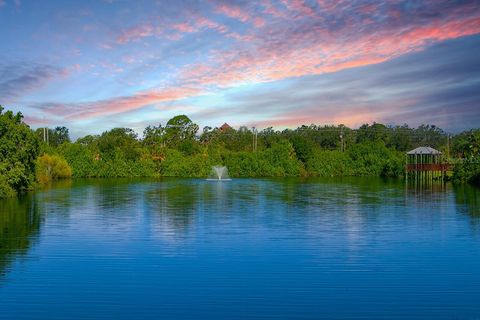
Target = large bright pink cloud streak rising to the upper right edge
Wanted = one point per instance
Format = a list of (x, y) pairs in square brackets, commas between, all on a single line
[(279, 54)]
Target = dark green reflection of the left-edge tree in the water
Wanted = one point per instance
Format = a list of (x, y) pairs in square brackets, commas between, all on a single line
[(19, 225)]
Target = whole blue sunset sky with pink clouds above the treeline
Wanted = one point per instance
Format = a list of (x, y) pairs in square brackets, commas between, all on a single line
[(93, 65)]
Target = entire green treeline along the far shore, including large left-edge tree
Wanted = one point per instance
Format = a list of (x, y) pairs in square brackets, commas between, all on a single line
[(178, 150)]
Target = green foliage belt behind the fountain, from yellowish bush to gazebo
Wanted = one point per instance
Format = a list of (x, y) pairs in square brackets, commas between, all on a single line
[(177, 150)]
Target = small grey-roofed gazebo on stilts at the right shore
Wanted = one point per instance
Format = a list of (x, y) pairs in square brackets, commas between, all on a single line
[(425, 163)]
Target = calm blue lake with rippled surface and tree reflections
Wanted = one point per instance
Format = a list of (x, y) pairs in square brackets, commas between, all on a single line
[(241, 249)]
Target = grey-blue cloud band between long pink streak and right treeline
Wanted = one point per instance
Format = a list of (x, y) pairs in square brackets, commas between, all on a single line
[(414, 88)]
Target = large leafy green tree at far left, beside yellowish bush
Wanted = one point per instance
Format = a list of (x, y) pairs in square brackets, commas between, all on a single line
[(18, 152)]
